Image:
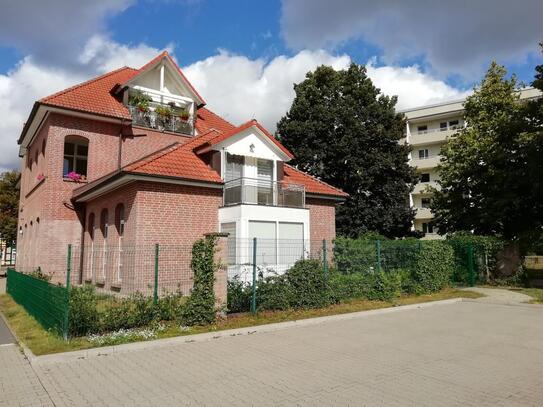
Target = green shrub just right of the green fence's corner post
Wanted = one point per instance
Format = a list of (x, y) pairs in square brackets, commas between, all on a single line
[(83, 318)]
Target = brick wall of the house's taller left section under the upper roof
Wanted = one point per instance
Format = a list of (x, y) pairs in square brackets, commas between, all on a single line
[(47, 218)]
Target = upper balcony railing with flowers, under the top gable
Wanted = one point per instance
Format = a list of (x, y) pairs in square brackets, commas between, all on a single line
[(153, 120)]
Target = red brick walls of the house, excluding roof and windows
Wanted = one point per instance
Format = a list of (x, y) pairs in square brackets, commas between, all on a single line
[(172, 215)]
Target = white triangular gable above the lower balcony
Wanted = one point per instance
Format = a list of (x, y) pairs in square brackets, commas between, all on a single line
[(252, 143)]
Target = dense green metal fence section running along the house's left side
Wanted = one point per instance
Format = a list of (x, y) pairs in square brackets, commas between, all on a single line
[(46, 302)]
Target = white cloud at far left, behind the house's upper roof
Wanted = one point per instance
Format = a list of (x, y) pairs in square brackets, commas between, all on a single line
[(31, 80)]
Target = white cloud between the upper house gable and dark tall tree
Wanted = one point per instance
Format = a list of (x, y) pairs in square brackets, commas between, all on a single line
[(241, 89)]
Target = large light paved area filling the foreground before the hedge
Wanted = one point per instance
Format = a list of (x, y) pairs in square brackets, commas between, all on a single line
[(462, 354)]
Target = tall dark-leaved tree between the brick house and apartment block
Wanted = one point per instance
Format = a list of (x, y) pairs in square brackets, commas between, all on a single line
[(342, 130)]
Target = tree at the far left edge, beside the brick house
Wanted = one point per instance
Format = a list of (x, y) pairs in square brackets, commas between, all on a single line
[(9, 204)]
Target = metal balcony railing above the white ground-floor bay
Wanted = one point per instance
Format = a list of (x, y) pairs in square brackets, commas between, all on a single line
[(263, 192)]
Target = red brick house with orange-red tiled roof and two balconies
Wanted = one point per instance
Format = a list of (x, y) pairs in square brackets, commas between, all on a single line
[(134, 158)]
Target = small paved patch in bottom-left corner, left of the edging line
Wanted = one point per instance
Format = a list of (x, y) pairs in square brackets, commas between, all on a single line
[(19, 385)]
